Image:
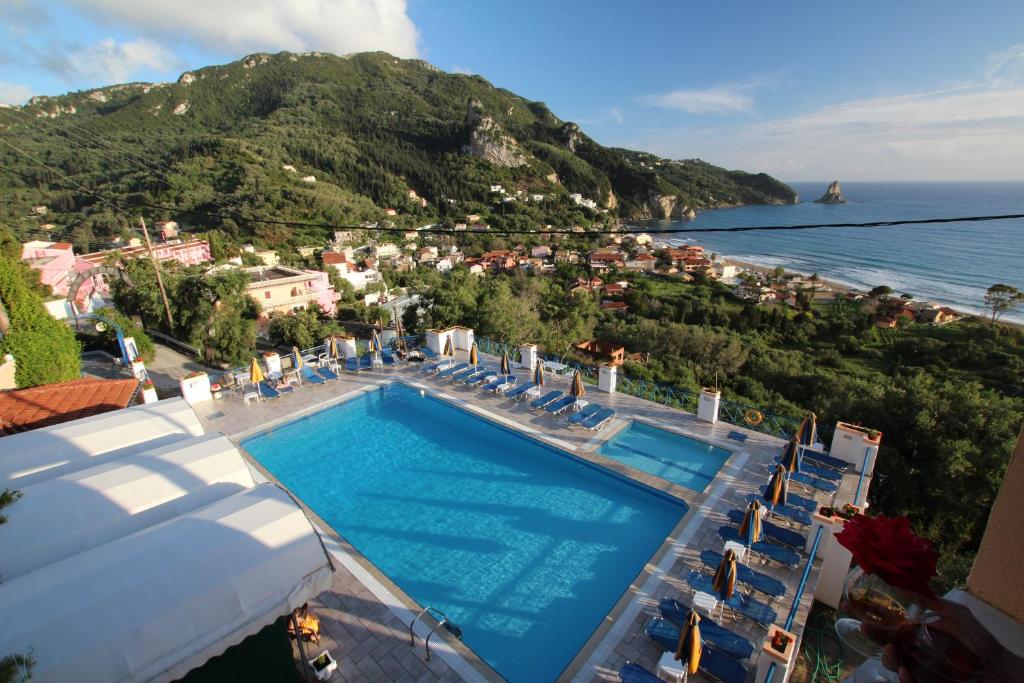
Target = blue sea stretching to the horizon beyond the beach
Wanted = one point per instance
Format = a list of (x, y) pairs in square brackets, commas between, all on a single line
[(949, 264)]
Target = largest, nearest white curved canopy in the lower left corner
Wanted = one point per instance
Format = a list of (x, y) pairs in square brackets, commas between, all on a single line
[(153, 606)]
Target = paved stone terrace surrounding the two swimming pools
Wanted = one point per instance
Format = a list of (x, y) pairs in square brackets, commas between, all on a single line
[(366, 617)]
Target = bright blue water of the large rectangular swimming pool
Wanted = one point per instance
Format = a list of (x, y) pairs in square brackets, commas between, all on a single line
[(523, 546)]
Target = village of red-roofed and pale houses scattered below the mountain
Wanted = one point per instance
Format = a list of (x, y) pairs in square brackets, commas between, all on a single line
[(355, 258)]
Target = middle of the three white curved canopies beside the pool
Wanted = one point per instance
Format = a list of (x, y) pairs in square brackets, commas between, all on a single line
[(67, 516)]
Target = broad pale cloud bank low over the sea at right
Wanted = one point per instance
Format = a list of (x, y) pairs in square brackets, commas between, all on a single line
[(974, 133)]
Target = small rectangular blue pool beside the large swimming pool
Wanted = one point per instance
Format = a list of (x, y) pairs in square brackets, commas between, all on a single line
[(675, 458)]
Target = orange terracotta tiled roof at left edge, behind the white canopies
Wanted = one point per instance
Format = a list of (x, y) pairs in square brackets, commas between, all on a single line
[(22, 410)]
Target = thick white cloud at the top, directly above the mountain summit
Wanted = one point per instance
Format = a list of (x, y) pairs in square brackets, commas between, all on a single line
[(247, 26)]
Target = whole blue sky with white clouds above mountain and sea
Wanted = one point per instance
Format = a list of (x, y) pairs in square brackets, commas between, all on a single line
[(912, 91)]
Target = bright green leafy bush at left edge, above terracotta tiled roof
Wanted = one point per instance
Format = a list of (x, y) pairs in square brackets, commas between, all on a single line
[(45, 349)]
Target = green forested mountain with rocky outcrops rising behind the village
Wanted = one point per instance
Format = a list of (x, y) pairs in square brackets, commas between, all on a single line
[(369, 127)]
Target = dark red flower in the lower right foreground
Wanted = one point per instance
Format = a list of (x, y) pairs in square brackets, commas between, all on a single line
[(887, 548)]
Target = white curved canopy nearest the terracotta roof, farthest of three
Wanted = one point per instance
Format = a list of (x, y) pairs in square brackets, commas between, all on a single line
[(42, 454)]
